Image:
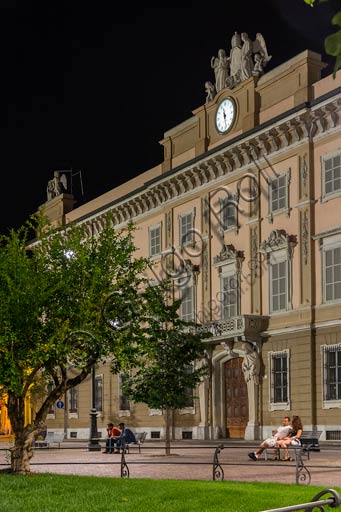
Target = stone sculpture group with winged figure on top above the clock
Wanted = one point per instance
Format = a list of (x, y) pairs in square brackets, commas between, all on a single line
[(246, 58)]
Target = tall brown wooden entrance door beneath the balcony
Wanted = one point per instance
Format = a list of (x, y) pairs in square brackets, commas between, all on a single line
[(237, 406)]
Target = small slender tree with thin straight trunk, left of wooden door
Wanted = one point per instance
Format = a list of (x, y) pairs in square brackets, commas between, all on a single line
[(173, 363)]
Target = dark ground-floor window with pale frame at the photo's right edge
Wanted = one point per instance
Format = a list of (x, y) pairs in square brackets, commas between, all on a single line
[(332, 375)]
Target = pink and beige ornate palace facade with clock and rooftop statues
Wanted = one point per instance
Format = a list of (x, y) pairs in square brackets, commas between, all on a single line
[(244, 212)]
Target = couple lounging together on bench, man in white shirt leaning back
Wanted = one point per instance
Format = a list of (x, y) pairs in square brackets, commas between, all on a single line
[(286, 435)]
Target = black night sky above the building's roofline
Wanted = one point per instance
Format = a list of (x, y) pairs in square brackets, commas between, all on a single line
[(93, 89)]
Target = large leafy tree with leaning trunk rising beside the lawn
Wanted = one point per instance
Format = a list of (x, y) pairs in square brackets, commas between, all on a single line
[(58, 301)]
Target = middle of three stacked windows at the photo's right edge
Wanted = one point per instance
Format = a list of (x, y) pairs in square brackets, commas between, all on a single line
[(332, 274)]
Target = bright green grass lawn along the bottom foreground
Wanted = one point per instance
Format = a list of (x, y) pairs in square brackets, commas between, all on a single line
[(61, 493)]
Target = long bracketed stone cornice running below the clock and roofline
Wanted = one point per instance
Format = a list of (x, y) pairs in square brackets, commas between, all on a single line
[(311, 121)]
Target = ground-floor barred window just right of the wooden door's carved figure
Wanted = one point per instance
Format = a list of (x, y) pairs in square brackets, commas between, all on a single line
[(279, 381)]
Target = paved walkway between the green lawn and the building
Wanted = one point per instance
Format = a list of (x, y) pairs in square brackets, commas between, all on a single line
[(188, 460)]
